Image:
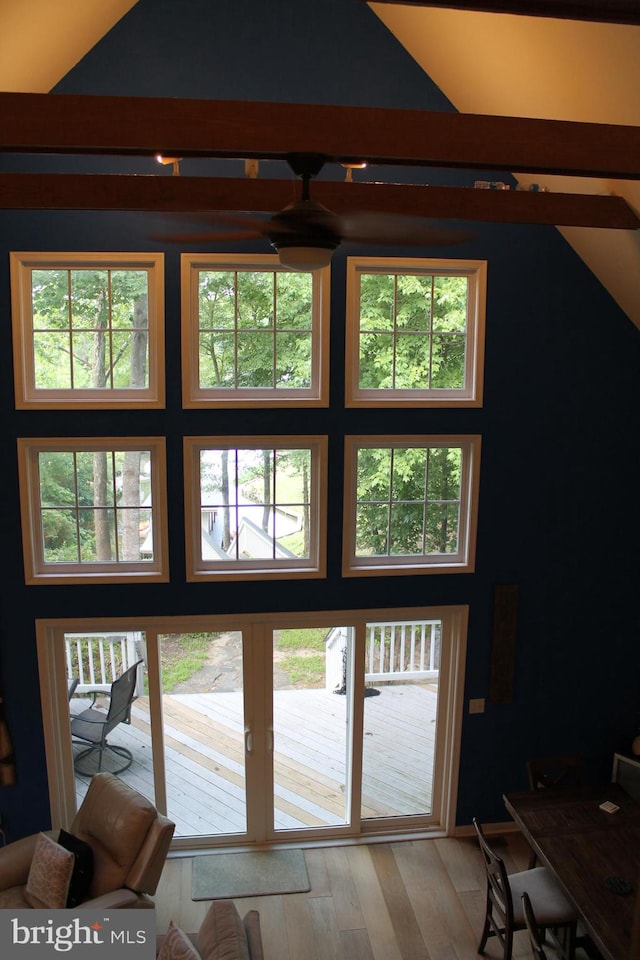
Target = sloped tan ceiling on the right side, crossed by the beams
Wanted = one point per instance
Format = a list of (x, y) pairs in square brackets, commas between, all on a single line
[(523, 66)]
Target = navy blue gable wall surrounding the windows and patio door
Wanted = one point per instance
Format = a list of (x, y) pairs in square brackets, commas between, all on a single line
[(559, 511)]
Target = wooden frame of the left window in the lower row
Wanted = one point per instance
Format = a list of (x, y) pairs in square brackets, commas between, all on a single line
[(37, 570)]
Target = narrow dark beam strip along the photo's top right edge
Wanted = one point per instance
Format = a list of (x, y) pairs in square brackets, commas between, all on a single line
[(603, 11)]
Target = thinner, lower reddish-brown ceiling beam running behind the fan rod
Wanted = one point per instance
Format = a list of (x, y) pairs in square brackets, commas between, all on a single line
[(165, 194)]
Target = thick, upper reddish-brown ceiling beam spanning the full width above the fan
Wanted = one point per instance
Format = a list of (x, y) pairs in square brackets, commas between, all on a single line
[(99, 125)]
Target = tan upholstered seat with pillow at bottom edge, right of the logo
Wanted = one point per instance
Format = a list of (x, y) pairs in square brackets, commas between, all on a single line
[(223, 935)]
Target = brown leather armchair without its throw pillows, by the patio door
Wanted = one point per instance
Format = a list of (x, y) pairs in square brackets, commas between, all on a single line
[(129, 840)]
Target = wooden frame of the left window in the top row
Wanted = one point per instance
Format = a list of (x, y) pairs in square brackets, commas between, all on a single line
[(27, 395)]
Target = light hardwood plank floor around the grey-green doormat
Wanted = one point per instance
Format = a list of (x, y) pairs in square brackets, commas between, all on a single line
[(410, 900)]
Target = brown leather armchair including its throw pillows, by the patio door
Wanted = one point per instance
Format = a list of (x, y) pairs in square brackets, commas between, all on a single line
[(127, 841)]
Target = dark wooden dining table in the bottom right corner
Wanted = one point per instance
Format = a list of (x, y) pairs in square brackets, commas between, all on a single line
[(585, 846)]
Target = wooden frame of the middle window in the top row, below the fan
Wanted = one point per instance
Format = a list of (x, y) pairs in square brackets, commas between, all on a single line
[(195, 396)]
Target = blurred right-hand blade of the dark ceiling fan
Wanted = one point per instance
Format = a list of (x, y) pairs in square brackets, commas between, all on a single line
[(398, 230)]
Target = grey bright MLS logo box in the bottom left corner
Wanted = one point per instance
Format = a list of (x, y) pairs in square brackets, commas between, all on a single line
[(80, 934)]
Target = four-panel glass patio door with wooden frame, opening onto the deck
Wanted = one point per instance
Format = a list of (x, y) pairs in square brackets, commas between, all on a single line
[(260, 728)]
